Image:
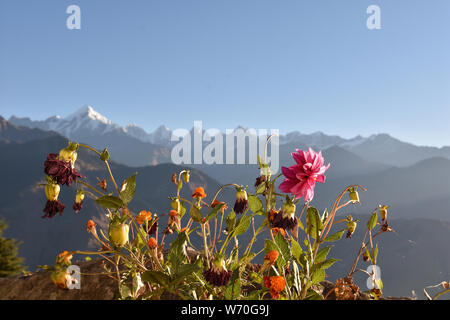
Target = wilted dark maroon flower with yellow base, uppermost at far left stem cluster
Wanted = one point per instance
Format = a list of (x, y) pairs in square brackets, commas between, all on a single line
[(61, 168)]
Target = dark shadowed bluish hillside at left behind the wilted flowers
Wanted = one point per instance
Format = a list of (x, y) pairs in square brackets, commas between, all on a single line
[(21, 201)]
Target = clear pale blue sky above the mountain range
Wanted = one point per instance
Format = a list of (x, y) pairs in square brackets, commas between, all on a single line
[(304, 65)]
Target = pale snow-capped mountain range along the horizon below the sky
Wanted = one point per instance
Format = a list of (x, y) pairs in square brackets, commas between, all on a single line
[(134, 146)]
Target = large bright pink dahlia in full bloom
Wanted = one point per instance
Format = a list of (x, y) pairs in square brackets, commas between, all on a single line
[(301, 178)]
